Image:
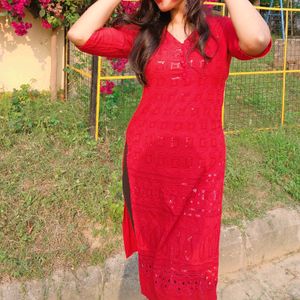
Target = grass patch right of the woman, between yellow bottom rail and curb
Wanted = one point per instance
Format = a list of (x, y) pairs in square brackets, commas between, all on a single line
[(262, 172)]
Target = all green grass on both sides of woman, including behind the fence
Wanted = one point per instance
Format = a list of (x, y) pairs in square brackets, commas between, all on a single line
[(61, 200)]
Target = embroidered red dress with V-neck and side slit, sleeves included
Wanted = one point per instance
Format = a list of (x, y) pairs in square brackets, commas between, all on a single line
[(174, 159)]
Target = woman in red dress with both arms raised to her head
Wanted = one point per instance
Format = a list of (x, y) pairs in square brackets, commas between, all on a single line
[(174, 155)]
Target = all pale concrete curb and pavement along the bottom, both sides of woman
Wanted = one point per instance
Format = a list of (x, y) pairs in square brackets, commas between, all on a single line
[(260, 262)]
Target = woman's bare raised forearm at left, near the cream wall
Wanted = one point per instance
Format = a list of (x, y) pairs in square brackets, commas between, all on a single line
[(92, 19)]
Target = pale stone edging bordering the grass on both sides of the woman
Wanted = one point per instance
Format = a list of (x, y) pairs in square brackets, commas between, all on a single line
[(275, 235)]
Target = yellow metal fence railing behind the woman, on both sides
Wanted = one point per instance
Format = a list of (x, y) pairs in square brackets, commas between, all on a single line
[(284, 71)]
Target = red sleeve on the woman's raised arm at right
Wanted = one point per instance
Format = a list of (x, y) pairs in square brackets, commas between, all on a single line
[(233, 41)]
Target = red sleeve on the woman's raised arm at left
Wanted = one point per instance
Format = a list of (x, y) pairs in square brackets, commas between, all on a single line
[(111, 42)]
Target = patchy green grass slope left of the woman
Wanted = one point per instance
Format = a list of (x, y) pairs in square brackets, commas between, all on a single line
[(58, 189)]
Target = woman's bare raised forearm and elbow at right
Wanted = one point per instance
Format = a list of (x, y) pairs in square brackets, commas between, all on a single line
[(252, 30)]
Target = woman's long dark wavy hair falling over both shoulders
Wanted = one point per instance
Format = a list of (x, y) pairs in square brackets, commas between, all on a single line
[(151, 21)]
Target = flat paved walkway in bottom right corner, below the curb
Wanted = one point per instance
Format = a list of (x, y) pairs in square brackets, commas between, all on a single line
[(276, 280)]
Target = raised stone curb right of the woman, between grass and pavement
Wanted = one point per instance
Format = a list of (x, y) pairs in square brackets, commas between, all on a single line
[(275, 235)]
